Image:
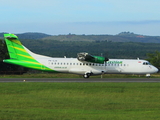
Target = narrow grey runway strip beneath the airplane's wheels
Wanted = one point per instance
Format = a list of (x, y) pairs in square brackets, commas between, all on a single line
[(80, 80)]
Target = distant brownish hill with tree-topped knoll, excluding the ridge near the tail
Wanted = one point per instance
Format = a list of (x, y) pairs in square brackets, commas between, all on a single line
[(121, 37)]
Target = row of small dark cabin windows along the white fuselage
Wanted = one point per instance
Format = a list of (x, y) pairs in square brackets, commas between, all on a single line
[(89, 64)]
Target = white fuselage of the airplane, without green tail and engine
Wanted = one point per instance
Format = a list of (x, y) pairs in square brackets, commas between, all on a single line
[(113, 66)]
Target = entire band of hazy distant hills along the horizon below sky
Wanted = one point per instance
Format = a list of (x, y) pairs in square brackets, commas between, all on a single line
[(121, 37)]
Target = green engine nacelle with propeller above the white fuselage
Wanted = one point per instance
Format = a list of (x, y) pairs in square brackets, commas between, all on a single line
[(90, 58)]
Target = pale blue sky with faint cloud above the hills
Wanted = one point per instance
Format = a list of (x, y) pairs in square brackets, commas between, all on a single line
[(59, 17)]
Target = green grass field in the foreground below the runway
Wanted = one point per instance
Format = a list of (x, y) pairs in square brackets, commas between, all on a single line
[(79, 101)]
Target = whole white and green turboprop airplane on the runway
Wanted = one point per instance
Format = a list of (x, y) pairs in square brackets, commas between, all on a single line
[(85, 64)]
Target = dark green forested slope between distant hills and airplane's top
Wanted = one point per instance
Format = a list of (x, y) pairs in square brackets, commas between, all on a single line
[(119, 50)]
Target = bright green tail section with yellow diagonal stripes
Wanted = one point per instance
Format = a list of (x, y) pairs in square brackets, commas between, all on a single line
[(20, 55)]
